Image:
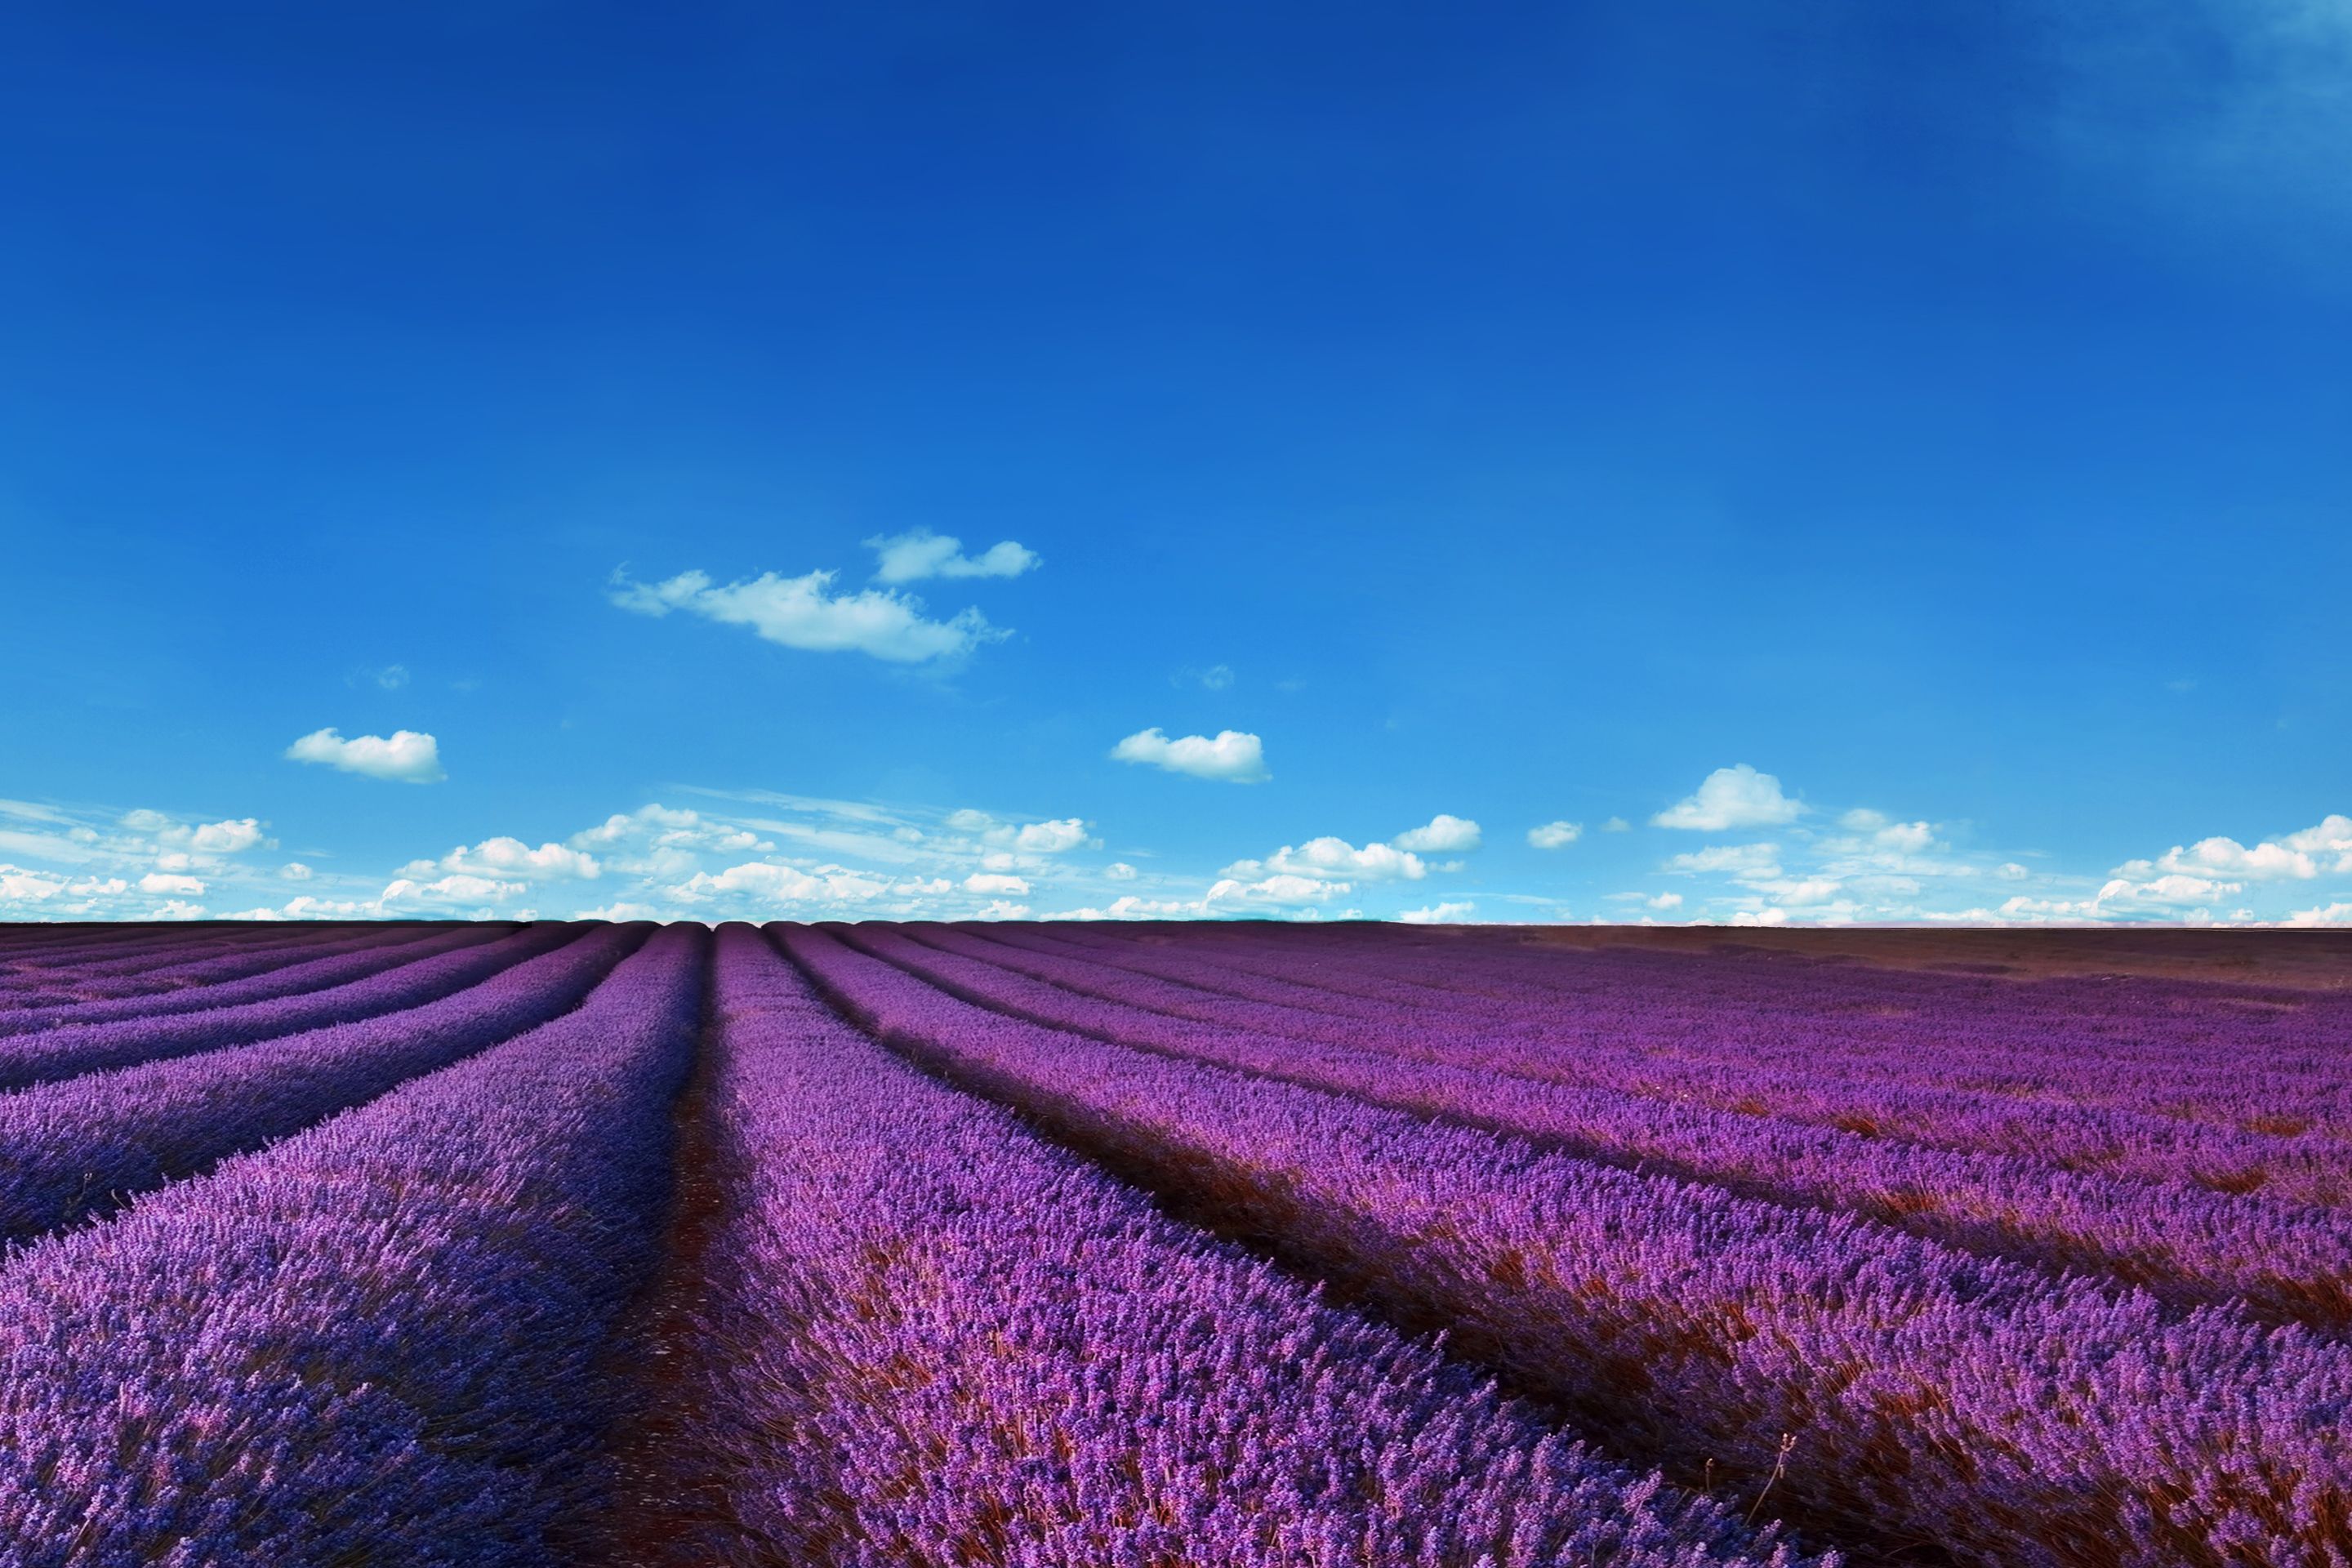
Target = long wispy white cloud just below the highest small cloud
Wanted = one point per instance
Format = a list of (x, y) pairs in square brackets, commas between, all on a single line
[(803, 615)]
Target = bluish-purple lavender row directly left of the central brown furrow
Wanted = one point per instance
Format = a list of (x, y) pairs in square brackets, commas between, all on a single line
[(382, 1341)]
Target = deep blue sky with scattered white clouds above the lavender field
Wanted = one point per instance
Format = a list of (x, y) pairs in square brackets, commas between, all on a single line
[(1723, 462)]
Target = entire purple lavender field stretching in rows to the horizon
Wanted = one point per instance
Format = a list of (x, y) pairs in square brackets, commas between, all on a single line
[(1151, 1247)]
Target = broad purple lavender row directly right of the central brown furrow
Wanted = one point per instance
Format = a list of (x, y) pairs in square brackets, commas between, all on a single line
[(930, 1339)]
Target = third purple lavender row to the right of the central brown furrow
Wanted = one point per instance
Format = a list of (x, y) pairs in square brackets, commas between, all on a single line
[(2189, 1247)]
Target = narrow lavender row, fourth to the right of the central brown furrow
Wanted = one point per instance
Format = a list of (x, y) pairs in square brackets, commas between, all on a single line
[(1791, 1076)]
